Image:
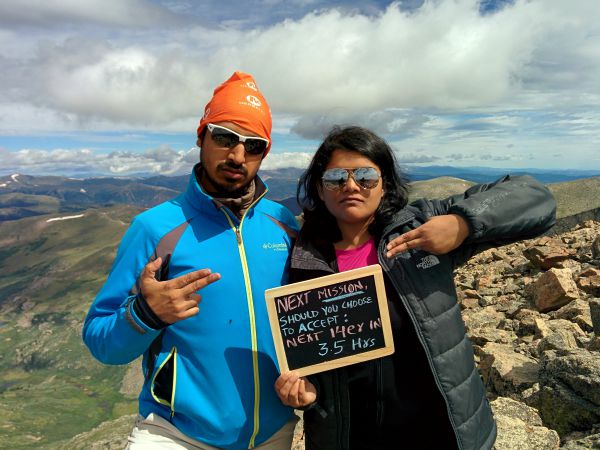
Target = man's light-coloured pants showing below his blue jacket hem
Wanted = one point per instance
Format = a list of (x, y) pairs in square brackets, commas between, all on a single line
[(156, 433)]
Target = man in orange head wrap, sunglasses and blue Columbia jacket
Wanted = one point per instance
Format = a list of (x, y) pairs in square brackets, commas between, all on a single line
[(210, 367)]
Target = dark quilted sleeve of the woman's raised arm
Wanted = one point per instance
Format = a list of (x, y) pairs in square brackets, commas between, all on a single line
[(510, 209)]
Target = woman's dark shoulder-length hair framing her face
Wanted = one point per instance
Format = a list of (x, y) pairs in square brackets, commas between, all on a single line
[(319, 223)]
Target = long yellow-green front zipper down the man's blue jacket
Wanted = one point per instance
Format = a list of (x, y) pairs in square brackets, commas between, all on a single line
[(254, 340)]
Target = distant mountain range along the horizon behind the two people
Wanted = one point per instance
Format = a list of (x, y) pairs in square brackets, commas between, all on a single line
[(25, 195)]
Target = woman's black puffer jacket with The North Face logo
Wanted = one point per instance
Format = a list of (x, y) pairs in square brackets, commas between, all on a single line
[(428, 394)]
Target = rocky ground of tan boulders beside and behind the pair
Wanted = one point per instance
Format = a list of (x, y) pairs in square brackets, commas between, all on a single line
[(532, 310)]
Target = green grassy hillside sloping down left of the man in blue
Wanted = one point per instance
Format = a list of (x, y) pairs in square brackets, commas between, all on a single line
[(50, 387)]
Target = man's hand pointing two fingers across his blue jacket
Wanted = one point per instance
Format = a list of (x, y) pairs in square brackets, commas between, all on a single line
[(176, 299)]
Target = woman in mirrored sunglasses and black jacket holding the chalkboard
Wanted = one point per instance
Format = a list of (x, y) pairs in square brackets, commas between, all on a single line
[(428, 394)]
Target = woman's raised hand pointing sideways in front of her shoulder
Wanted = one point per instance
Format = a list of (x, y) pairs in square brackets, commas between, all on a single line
[(439, 235)]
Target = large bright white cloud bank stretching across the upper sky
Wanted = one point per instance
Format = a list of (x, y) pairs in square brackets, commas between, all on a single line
[(443, 55)]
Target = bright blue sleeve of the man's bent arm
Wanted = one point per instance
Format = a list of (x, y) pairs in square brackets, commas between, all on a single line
[(112, 330)]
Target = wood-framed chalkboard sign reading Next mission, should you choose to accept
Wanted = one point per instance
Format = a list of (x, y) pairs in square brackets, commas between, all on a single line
[(331, 321)]
